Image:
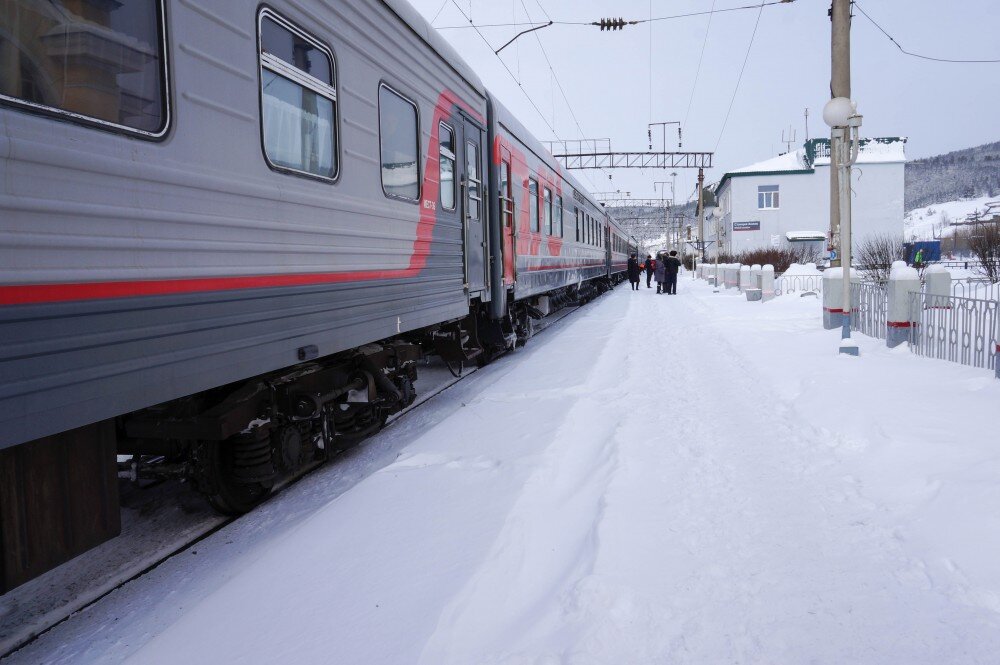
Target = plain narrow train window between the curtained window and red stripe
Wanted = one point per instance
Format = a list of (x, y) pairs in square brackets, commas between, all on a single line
[(399, 142)]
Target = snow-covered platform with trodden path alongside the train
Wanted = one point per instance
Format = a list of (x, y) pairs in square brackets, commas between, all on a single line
[(689, 479)]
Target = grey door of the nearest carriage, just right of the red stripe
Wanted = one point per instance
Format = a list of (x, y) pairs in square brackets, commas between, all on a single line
[(474, 197)]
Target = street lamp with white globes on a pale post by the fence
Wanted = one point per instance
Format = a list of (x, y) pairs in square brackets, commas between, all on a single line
[(841, 114)]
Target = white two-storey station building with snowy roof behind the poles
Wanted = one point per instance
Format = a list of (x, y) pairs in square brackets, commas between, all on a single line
[(785, 201)]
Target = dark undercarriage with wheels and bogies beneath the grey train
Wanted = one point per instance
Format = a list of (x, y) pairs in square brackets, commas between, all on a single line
[(235, 443)]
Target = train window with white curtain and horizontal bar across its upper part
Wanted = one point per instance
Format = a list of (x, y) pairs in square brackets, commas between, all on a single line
[(298, 100)]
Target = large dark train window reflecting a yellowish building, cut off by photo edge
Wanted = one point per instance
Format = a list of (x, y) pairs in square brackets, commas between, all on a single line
[(102, 63)]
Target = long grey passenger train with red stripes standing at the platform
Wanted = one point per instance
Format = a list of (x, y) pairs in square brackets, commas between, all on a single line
[(230, 231)]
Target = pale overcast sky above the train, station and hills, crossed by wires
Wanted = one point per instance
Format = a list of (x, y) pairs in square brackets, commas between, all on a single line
[(618, 82)]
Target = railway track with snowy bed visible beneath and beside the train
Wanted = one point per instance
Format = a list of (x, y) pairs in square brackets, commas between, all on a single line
[(164, 520)]
